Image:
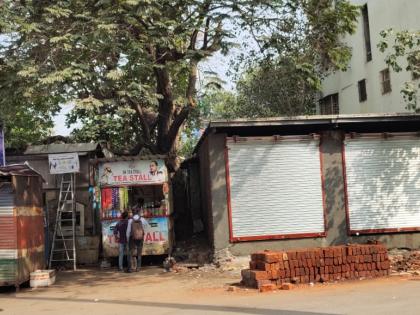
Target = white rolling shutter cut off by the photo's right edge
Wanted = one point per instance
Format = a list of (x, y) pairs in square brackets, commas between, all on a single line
[(383, 183)]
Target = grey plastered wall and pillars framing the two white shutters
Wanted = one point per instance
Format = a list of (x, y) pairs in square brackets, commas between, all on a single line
[(331, 144)]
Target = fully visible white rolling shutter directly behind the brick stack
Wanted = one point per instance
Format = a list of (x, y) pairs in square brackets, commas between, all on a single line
[(275, 189)]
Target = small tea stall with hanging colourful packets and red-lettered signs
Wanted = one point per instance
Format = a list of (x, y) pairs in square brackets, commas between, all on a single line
[(130, 185)]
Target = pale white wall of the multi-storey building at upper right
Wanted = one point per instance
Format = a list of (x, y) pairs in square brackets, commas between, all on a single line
[(383, 14)]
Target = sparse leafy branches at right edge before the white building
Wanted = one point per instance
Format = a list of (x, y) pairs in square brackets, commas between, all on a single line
[(404, 54)]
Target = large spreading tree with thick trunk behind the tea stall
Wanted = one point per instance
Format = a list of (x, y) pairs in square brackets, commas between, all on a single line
[(135, 62)]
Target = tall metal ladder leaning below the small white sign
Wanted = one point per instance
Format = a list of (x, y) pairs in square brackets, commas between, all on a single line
[(63, 247)]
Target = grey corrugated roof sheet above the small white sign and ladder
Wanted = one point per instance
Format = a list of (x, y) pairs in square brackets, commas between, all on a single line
[(56, 148)]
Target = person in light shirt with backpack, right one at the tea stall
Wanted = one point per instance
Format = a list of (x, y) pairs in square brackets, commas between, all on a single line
[(135, 235)]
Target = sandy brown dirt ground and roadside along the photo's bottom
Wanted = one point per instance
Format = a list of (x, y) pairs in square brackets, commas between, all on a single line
[(153, 291)]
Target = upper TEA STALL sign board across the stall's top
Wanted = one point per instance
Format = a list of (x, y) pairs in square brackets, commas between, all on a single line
[(132, 172)]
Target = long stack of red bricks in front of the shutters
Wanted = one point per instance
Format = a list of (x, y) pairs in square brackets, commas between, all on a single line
[(271, 269)]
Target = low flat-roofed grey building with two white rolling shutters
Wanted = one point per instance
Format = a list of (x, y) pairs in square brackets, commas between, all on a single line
[(311, 182)]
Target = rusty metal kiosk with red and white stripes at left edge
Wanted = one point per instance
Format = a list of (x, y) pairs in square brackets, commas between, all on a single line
[(21, 224)]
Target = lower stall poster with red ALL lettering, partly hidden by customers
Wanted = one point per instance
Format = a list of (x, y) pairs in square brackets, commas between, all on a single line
[(156, 237)]
